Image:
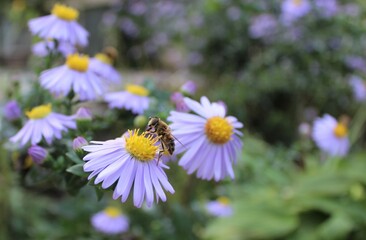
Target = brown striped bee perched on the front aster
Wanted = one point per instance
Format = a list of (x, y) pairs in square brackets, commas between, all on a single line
[(159, 128)]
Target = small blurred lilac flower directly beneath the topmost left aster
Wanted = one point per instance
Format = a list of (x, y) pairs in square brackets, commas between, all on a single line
[(45, 47)]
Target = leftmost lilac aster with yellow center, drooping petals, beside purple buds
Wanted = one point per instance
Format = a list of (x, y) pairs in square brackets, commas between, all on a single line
[(43, 123)]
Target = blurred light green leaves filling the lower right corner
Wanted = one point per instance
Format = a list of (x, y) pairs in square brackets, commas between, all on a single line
[(315, 203)]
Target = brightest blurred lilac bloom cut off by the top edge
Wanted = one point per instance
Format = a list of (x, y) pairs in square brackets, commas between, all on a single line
[(294, 9)]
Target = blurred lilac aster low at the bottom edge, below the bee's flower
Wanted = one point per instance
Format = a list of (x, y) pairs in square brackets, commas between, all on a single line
[(110, 221)]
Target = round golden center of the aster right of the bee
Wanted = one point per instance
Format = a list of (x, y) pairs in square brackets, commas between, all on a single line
[(218, 130)]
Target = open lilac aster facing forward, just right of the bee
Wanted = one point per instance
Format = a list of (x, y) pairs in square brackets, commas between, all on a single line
[(212, 140)]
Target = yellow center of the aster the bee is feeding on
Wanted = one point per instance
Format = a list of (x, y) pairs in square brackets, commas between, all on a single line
[(142, 147)]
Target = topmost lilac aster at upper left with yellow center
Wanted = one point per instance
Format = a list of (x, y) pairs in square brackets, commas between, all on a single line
[(61, 25)]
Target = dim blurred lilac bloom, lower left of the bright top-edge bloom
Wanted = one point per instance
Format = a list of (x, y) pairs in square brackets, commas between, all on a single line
[(263, 26)]
